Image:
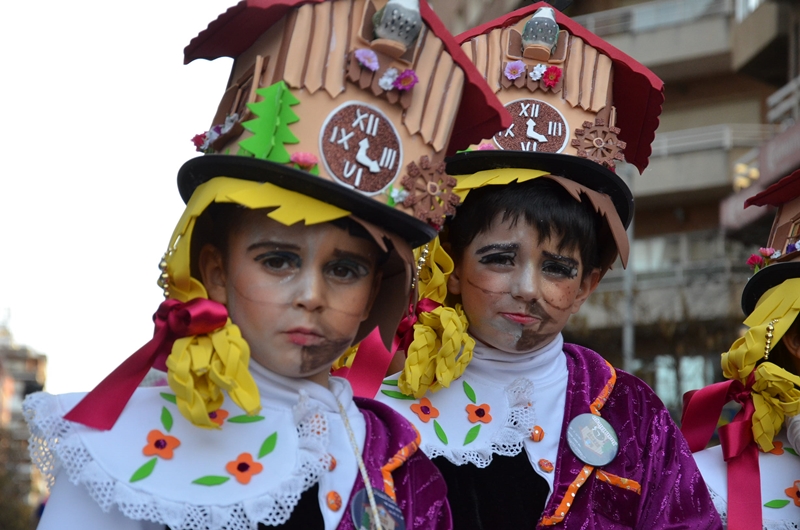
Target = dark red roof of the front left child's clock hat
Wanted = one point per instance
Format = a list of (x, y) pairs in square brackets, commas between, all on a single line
[(480, 114)]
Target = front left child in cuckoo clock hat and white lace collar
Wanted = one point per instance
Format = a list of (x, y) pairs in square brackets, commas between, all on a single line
[(294, 245)]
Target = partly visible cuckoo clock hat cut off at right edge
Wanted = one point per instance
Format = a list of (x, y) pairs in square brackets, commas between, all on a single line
[(783, 248)]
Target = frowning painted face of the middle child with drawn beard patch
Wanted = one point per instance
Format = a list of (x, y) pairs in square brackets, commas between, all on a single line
[(518, 294)]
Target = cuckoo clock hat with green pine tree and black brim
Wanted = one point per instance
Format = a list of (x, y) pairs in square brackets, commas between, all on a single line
[(352, 102)]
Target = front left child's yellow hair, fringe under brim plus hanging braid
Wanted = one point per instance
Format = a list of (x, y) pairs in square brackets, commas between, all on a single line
[(200, 367)]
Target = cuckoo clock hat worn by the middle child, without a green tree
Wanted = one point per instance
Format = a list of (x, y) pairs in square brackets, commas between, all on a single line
[(578, 107)]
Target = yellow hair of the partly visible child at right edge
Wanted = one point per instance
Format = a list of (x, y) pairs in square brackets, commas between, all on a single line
[(775, 391)]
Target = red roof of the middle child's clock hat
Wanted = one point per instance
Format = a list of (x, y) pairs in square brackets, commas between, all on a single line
[(638, 92)]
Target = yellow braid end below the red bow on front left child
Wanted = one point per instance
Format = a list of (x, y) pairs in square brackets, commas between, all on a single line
[(201, 366)]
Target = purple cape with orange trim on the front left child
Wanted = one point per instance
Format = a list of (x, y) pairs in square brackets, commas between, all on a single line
[(421, 490)]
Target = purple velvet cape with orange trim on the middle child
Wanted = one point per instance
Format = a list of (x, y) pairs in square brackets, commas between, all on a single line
[(652, 452)]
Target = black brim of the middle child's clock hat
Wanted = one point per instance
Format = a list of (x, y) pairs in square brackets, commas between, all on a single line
[(581, 170)]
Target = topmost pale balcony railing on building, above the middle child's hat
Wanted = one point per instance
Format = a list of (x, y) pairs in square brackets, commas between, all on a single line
[(652, 15)]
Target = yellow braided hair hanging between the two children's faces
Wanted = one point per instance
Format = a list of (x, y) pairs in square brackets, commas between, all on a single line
[(441, 348)]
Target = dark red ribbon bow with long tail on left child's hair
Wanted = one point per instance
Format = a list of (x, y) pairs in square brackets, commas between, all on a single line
[(101, 407)]
